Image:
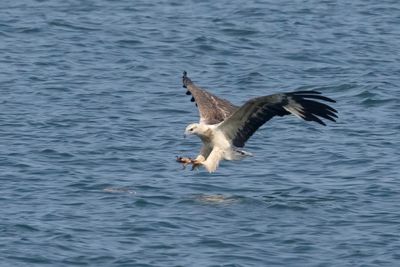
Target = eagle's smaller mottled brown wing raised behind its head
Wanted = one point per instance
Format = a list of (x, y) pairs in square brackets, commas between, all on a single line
[(212, 109)]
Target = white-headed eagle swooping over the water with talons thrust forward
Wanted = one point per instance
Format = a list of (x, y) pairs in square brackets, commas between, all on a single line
[(224, 128)]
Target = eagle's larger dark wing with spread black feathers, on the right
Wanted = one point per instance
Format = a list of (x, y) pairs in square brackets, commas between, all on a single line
[(248, 118)]
